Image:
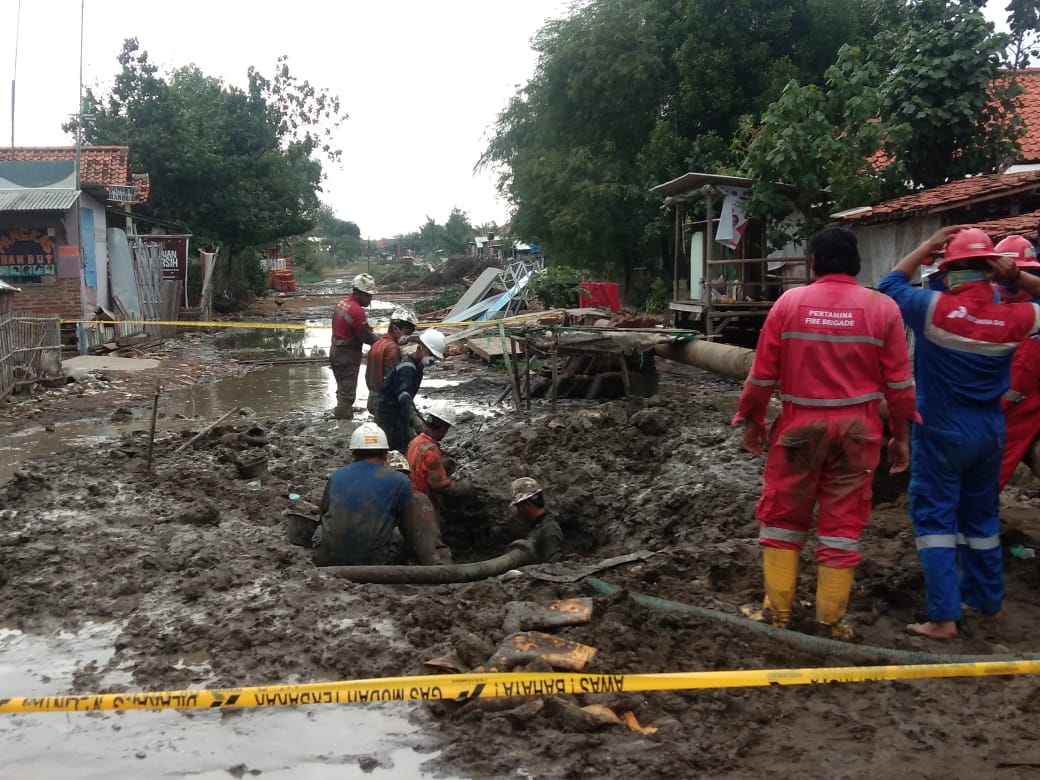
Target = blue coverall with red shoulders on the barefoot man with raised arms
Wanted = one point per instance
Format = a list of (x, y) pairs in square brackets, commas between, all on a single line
[(963, 356)]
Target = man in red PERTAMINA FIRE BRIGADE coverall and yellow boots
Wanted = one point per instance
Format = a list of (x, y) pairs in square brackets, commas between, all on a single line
[(835, 350)]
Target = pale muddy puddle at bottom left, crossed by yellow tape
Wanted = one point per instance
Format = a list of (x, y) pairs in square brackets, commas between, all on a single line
[(319, 743)]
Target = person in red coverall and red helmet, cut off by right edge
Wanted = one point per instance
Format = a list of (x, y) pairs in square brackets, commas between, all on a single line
[(1022, 402)]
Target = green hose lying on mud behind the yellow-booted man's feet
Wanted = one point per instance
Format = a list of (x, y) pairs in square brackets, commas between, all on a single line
[(816, 645)]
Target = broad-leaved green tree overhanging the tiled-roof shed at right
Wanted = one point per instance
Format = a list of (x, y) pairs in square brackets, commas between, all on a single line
[(920, 106)]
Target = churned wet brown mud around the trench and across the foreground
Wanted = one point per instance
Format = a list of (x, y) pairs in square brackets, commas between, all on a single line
[(187, 577)]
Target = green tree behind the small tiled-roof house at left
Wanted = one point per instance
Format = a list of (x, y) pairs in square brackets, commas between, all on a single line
[(240, 168)]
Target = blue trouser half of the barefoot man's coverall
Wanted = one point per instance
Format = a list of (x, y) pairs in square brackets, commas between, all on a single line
[(955, 515)]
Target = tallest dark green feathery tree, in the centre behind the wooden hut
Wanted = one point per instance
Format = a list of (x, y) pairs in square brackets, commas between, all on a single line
[(631, 93)]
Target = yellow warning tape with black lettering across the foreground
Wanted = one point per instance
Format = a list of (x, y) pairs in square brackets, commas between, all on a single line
[(466, 687)]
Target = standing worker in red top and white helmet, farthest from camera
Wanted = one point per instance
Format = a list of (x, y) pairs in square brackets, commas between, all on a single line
[(350, 334)]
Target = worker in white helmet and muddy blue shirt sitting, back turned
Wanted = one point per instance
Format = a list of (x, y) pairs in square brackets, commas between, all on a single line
[(366, 507)]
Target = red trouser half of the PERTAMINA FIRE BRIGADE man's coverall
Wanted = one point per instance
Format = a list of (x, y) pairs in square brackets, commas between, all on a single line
[(820, 458)]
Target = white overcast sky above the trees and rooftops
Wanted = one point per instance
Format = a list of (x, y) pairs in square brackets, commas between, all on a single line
[(423, 82)]
